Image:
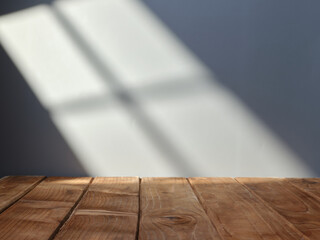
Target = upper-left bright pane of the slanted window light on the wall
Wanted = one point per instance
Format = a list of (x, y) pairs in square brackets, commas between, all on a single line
[(46, 56)]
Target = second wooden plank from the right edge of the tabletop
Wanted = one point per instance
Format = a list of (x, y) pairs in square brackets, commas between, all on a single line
[(297, 206)]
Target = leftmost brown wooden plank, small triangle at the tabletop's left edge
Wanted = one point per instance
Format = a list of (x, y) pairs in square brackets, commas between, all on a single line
[(14, 187)]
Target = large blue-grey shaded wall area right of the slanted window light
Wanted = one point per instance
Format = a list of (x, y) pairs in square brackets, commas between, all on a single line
[(266, 52)]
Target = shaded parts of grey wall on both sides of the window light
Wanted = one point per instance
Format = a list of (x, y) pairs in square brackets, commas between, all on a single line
[(266, 52)]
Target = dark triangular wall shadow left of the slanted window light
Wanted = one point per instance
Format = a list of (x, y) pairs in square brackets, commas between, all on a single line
[(30, 143)]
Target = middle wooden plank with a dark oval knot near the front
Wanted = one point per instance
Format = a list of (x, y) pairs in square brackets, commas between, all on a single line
[(170, 210)]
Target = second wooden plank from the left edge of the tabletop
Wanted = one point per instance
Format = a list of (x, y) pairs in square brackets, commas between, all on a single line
[(39, 213)]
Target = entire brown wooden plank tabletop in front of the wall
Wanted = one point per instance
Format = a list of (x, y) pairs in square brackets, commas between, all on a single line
[(35, 207)]
